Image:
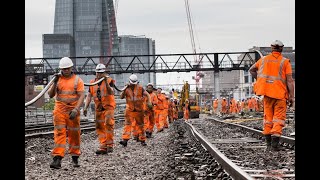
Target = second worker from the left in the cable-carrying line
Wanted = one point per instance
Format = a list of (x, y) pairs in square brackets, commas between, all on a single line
[(105, 104)]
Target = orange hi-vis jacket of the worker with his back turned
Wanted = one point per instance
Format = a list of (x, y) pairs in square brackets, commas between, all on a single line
[(271, 76)]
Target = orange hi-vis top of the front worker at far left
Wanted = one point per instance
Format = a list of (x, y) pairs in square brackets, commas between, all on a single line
[(67, 93)]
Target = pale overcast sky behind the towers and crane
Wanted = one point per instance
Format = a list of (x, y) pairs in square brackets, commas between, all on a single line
[(218, 25)]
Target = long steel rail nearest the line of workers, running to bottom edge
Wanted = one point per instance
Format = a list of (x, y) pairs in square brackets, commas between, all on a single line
[(233, 170)]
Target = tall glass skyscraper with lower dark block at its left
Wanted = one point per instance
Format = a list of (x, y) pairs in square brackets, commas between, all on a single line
[(82, 28)]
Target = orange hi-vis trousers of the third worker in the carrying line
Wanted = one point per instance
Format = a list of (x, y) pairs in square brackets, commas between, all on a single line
[(130, 117)]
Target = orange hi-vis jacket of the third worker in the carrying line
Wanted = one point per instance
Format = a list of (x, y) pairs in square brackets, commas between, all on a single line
[(134, 98)]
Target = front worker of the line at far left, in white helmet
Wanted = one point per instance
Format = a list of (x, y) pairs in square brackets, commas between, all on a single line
[(68, 90)]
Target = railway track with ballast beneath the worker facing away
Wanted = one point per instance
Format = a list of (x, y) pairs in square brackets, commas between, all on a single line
[(241, 151)]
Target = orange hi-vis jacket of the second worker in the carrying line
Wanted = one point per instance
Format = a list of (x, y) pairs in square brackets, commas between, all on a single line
[(107, 100)]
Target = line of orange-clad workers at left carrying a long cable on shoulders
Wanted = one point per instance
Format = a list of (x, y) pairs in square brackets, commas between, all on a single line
[(145, 108)]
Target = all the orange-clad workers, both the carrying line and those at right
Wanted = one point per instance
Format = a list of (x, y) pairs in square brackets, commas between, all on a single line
[(146, 108)]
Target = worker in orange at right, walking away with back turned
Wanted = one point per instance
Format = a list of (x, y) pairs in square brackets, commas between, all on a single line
[(275, 83)]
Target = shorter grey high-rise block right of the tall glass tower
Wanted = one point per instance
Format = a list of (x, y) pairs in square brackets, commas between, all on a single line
[(136, 45)]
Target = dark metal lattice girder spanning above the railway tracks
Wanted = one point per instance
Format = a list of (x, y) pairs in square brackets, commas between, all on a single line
[(159, 63)]
